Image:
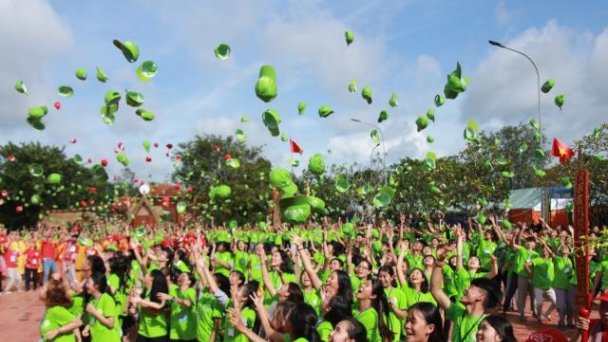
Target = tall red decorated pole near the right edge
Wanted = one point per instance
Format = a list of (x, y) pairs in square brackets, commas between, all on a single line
[(581, 242)]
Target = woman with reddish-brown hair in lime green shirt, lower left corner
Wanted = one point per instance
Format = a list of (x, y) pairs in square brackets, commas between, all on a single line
[(58, 324)]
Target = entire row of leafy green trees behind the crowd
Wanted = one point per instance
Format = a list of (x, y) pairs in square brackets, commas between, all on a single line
[(478, 178)]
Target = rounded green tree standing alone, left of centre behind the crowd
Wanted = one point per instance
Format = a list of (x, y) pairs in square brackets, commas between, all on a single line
[(205, 163)]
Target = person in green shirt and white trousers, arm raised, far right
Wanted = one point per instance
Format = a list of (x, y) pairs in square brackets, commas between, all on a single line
[(541, 270)]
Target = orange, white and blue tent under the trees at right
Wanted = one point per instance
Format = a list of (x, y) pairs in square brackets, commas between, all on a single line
[(526, 206)]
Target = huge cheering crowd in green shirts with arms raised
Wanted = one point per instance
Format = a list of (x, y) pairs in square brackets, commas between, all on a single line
[(330, 282)]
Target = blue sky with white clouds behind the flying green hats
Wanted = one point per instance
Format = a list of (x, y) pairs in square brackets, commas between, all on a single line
[(406, 47)]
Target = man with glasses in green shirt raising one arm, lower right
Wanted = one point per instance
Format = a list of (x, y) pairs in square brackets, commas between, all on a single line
[(483, 295)]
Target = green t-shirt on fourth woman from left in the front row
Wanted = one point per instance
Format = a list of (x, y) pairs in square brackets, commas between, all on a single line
[(183, 319)]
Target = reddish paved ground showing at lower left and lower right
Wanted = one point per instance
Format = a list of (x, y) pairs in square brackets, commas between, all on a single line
[(20, 315)]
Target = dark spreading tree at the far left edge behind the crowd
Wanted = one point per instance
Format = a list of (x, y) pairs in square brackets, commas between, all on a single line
[(29, 189)]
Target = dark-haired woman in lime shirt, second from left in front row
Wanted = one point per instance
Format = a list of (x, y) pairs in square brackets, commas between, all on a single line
[(102, 325)]
